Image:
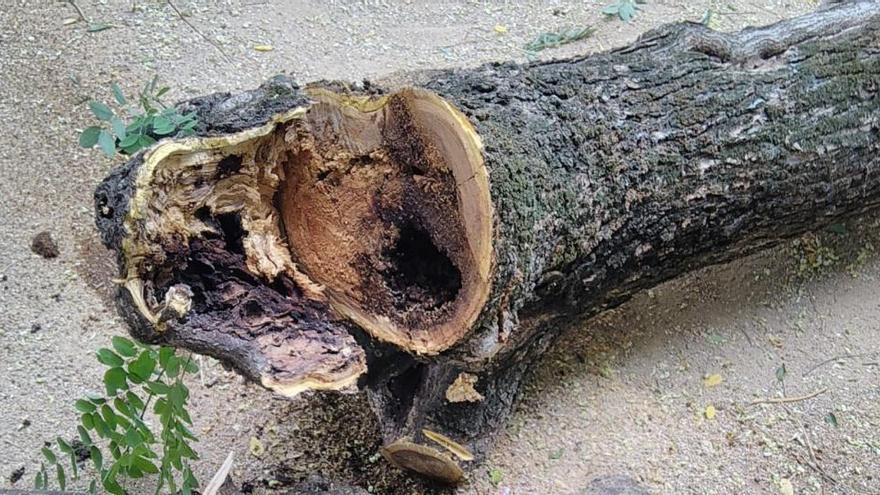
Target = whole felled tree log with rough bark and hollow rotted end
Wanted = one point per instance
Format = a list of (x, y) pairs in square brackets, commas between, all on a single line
[(426, 243)]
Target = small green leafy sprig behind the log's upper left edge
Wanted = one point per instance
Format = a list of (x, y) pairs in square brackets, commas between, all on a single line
[(149, 121)]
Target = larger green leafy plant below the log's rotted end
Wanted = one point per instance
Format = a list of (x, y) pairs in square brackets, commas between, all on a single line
[(139, 378)]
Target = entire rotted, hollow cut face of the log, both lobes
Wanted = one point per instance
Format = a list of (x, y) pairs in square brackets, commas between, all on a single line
[(374, 210)]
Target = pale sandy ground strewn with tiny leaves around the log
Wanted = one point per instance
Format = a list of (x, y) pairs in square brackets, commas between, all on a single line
[(624, 394)]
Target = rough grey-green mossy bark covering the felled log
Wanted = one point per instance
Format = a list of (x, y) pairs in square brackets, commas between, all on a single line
[(608, 174)]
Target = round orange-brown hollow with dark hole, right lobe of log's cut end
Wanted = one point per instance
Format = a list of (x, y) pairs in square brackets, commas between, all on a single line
[(386, 204)]
